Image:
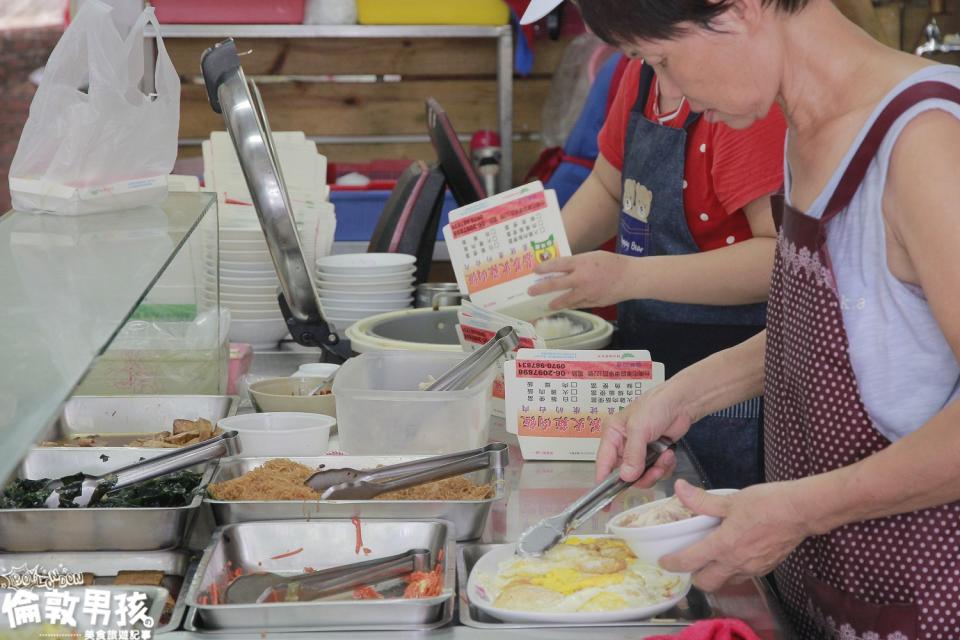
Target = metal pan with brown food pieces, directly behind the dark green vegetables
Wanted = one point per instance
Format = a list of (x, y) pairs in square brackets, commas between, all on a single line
[(134, 415)]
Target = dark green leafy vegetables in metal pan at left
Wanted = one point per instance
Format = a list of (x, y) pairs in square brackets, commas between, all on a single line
[(172, 490)]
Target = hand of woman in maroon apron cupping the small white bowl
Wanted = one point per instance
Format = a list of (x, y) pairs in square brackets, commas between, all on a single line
[(761, 526)]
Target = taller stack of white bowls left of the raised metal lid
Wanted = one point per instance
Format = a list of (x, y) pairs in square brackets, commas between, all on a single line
[(248, 286)]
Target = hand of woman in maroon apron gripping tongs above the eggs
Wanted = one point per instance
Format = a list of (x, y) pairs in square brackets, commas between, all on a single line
[(623, 442)]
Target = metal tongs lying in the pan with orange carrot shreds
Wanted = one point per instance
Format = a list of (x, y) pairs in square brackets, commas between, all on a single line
[(339, 579)]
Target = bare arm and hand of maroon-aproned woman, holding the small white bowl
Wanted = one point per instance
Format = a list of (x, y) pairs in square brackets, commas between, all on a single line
[(764, 523)]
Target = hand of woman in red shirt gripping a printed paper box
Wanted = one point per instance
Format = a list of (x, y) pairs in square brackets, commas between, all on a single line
[(594, 279)]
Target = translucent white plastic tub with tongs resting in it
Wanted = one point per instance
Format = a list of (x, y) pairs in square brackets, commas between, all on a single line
[(381, 410)]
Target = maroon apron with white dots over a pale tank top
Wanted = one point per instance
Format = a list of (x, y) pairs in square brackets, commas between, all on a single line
[(895, 578)]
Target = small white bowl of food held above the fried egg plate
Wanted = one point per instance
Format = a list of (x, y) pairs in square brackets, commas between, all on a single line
[(651, 543)]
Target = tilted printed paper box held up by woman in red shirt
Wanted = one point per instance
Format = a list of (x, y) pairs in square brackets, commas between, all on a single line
[(496, 243)]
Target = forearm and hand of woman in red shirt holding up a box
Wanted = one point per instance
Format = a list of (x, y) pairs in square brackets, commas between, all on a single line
[(738, 274)]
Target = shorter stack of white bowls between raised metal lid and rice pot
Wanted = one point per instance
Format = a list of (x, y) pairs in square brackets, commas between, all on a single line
[(355, 286)]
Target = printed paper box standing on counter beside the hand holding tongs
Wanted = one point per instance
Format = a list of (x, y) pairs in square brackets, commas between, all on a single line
[(556, 400)]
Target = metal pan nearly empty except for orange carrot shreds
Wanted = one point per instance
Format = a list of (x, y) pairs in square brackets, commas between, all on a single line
[(319, 544)]
